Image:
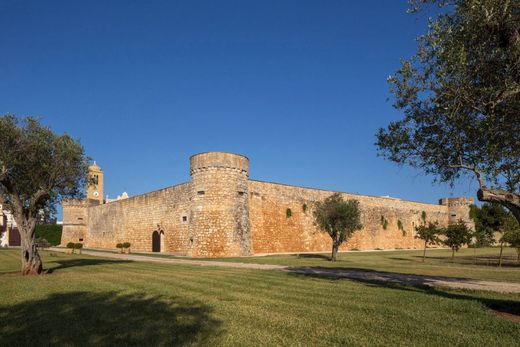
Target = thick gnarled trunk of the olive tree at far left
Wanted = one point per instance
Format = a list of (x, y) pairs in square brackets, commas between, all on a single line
[(31, 261)]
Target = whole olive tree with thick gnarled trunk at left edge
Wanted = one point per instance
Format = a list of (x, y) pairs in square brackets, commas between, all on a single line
[(37, 169)]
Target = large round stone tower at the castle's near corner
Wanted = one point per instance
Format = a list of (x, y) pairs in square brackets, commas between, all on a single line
[(220, 212)]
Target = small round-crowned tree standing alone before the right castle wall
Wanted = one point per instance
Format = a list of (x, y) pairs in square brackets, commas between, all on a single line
[(339, 218)]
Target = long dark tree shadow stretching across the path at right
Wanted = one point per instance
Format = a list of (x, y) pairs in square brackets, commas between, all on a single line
[(412, 283)]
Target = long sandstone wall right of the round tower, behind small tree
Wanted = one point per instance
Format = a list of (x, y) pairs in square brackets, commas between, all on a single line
[(274, 231)]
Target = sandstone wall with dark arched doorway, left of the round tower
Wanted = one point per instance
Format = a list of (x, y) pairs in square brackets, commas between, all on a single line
[(135, 219)]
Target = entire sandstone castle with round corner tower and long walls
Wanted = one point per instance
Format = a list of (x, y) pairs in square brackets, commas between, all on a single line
[(222, 212)]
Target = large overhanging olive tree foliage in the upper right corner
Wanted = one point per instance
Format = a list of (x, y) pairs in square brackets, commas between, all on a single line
[(460, 95)]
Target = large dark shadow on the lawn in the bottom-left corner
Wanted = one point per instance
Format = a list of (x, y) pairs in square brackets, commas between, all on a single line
[(107, 319)]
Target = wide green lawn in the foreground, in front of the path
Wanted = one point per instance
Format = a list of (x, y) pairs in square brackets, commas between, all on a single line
[(104, 302)]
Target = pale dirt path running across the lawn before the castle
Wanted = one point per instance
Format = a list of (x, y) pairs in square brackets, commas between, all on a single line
[(451, 282)]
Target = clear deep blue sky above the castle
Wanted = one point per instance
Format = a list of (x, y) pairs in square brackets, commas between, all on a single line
[(297, 86)]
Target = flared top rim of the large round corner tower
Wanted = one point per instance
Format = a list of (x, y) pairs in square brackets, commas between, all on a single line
[(220, 160)]
